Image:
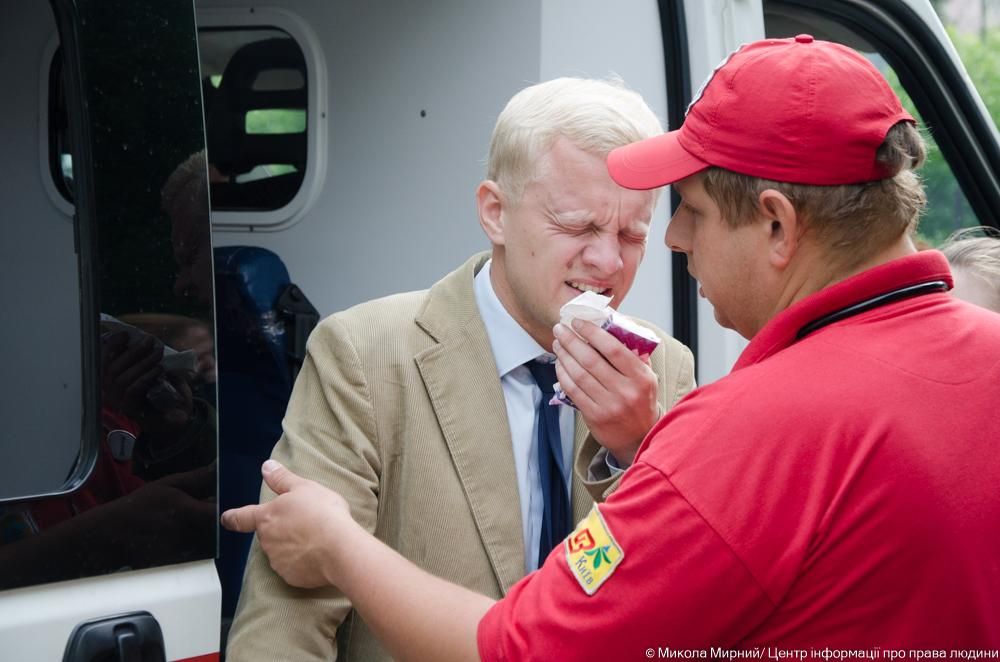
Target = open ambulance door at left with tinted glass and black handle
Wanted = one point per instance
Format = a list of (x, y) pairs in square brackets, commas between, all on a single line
[(108, 520)]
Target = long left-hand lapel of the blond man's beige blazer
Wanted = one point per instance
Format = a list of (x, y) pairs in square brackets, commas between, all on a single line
[(462, 382)]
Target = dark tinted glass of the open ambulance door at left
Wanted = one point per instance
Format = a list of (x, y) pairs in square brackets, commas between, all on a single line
[(108, 462)]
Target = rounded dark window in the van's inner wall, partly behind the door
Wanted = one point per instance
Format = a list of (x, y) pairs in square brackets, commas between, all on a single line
[(255, 91)]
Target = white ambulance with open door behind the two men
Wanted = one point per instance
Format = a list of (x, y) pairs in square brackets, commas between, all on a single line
[(187, 186)]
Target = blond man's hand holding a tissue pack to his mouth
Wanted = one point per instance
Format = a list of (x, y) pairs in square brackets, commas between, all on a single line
[(614, 388)]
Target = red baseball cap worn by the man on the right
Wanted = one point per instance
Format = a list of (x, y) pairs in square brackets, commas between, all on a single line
[(795, 110)]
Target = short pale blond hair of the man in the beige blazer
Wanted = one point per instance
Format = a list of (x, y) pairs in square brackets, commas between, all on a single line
[(595, 115)]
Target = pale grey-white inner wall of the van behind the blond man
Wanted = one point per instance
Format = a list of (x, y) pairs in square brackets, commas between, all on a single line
[(396, 210)]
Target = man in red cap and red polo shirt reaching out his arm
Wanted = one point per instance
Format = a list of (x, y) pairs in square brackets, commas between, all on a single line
[(834, 496)]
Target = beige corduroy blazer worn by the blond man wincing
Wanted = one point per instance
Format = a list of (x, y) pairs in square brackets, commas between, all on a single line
[(399, 408)]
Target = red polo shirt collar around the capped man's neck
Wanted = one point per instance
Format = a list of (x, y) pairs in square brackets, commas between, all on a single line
[(781, 331)]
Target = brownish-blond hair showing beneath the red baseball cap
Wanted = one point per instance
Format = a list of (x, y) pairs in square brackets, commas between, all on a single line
[(852, 221)]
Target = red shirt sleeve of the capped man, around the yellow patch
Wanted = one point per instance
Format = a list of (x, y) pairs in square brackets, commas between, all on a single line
[(677, 585)]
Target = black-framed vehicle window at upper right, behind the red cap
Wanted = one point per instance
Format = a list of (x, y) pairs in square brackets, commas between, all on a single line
[(962, 147)]
